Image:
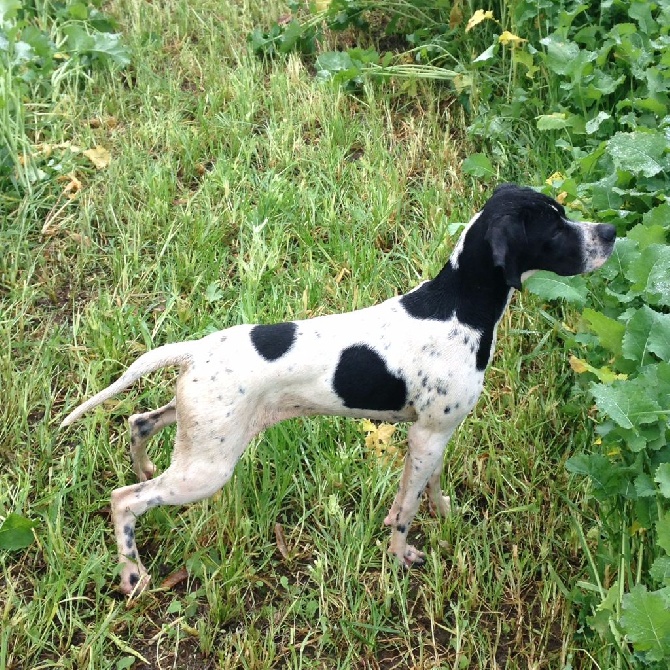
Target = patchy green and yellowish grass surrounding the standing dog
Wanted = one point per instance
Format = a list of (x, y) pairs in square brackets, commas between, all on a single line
[(242, 191)]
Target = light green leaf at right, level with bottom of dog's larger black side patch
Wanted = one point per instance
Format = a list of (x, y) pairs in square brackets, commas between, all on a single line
[(626, 403)]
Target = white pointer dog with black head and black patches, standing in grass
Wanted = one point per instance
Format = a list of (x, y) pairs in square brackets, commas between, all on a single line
[(418, 357)]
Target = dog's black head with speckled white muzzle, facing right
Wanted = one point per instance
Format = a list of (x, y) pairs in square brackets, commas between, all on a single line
[(529, 231)]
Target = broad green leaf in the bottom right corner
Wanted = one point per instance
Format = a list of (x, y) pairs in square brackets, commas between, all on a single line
[(646, 622)]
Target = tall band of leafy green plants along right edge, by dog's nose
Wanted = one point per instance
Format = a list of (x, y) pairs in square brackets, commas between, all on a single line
[(609, 100)]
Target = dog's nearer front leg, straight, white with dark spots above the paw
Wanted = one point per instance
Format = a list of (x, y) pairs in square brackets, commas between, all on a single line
[(424, 458)]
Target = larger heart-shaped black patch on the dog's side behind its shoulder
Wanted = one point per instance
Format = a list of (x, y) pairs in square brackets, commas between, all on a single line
[(363, 381)]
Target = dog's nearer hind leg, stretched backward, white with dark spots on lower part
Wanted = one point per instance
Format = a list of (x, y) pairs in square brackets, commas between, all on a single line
[(192, 476)]
